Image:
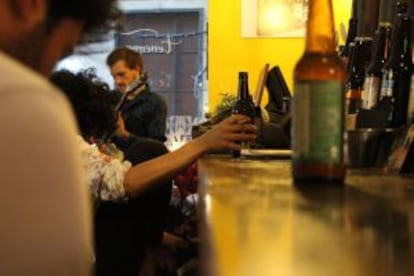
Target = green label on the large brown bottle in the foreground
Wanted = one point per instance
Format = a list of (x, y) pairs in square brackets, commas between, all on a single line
[(317, 122)]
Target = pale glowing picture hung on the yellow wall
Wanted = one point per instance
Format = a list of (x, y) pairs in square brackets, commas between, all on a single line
[(274, 18)]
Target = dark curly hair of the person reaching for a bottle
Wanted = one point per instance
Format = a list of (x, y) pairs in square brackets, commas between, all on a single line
[(91, 99)]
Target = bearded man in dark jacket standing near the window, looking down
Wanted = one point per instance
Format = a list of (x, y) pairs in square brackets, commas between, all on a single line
[(144, 112)]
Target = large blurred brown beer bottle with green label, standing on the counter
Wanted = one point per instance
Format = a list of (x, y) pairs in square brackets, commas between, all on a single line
[(318, 103)]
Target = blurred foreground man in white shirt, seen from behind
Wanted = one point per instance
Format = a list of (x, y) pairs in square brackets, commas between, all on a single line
[(45, 205)]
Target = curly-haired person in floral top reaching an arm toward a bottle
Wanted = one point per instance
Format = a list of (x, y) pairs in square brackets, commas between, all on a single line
[(134, 198)]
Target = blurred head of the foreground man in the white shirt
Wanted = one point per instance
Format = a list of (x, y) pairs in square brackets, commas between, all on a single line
[(31, 28)]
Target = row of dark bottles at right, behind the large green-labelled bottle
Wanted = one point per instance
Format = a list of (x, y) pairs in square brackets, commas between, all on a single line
[(378, 56)]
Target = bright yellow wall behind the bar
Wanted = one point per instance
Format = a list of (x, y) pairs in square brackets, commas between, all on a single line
[(229, 53)]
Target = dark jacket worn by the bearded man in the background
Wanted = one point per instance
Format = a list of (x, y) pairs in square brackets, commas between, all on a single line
[(146, 115)]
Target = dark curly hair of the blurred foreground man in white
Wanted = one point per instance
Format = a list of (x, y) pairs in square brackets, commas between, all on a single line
[(95, 14)]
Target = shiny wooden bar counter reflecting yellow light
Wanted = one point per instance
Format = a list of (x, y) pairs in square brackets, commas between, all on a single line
[(255, 222)]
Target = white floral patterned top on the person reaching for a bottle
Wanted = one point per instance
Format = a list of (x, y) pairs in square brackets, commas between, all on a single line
[(105, 173)]
